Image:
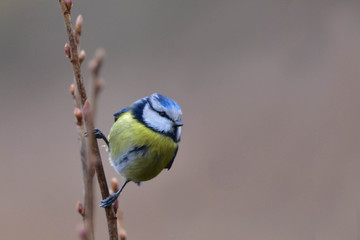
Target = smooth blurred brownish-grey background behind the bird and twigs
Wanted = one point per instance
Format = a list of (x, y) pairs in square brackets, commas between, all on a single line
[(270, 96)]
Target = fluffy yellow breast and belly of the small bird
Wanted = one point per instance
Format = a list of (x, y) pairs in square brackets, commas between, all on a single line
[(137, 152)]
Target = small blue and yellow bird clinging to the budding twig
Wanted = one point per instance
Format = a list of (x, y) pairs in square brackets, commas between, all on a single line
[(144, 140)]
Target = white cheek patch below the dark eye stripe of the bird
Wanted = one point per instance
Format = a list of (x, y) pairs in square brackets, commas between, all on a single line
[(154, 120)]
